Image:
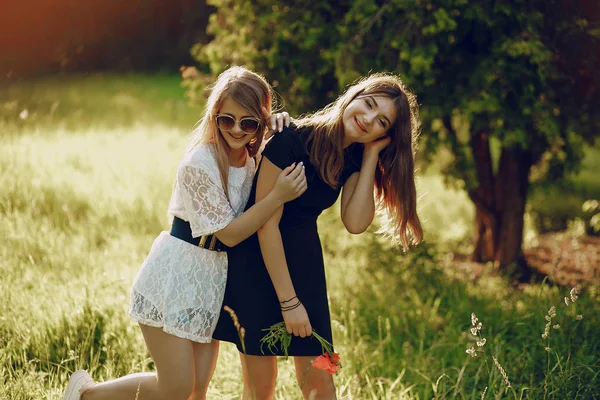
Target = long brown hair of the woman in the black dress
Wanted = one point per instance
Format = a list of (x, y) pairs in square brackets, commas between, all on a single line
[(394, 181)]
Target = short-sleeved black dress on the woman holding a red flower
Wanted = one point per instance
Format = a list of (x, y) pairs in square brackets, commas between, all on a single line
[(250, 292)]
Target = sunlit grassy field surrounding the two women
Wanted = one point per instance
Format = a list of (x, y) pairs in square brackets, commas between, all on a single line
[(86, 174)]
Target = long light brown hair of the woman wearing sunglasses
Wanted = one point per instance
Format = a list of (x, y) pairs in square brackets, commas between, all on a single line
[(251, 91)]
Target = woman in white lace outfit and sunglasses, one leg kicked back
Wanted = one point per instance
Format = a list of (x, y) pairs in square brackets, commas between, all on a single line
[(177, 295)]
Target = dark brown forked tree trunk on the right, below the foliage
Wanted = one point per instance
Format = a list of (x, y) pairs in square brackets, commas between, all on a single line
[(500, 202)]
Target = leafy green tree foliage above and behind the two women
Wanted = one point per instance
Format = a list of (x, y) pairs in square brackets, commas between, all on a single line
[(508, 69)]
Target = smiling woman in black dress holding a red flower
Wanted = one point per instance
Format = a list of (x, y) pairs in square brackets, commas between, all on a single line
[(365, 140)]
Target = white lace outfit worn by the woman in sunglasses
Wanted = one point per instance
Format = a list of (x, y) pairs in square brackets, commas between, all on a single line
[(180, 287)]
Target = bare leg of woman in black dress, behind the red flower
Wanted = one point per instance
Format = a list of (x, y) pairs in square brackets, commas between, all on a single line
[(315, 384)]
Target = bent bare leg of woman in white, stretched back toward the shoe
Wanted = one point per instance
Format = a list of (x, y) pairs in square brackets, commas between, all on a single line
[(174, 377)]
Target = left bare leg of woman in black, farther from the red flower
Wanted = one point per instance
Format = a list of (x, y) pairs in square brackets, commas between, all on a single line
[(260, 373)]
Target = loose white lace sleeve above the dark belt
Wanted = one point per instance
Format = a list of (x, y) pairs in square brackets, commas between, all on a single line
[(206, 207)]
